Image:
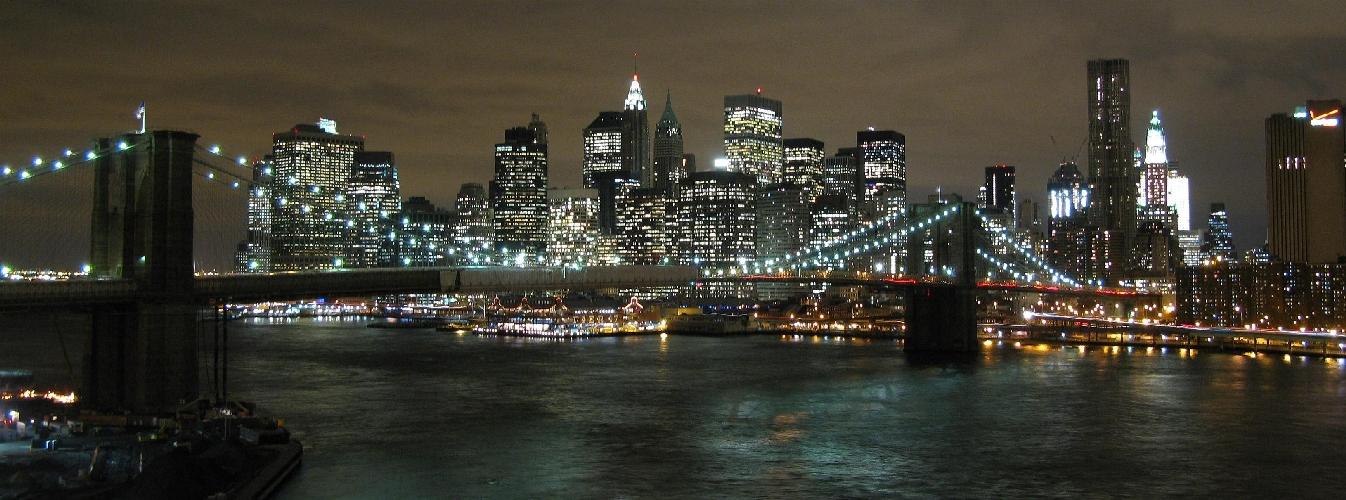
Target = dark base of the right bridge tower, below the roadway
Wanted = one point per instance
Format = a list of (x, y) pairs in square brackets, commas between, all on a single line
[(942, 319)]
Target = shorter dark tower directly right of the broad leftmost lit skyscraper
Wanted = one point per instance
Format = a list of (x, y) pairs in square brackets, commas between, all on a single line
[(374, 200)]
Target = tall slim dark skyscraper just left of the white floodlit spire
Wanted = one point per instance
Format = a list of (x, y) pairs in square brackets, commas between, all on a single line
[(1112, 172)]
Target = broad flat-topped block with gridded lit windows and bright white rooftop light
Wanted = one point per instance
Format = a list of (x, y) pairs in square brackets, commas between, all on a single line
[(717, 218)]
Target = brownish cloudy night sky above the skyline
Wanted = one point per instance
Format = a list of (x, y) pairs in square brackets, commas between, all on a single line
[(970, 84)]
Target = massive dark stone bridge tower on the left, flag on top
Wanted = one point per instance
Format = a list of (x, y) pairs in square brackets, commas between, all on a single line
[(143, 355)]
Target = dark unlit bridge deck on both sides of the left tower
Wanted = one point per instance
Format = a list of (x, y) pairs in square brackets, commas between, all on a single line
[(291, 286)]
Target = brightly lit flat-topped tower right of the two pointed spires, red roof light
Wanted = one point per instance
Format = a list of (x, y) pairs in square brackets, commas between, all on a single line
[(753, 141)]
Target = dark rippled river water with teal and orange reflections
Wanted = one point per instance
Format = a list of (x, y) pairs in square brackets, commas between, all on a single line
[(418, 414)]
